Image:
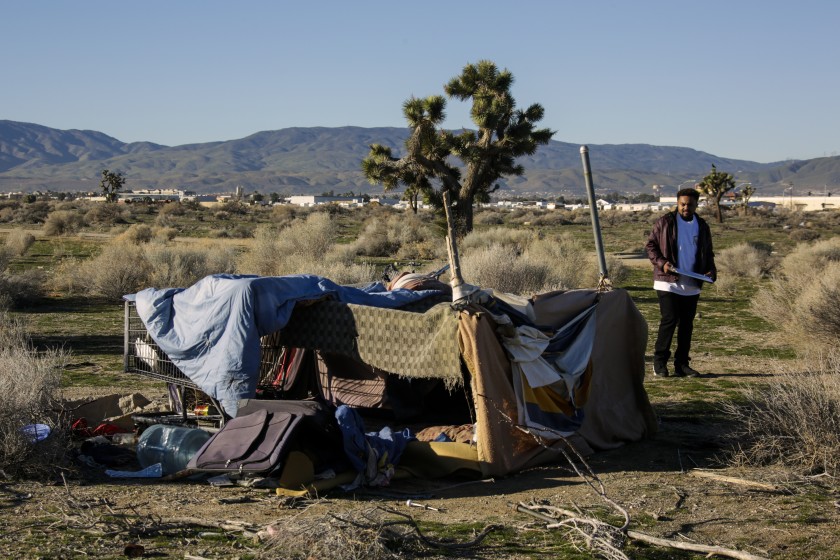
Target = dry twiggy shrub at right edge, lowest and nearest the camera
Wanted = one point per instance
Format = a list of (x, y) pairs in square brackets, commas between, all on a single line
[(793, 421)]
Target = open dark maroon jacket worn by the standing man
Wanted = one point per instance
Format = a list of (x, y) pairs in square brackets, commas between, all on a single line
[(662, 247)]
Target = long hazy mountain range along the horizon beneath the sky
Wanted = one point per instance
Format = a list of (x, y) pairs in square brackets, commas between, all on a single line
[(318, 159)]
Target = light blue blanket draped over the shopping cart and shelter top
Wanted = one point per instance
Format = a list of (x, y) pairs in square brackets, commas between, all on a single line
[(211, 331)]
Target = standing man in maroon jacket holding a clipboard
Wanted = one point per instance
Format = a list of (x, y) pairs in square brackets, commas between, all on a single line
[(680, 240)]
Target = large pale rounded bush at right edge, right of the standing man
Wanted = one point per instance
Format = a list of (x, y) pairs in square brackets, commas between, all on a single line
[(800, 299)]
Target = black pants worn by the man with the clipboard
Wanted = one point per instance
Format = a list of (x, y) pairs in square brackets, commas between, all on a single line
[(677, 314)]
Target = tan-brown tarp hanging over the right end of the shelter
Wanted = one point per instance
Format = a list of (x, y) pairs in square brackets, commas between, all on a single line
[(618, 410)]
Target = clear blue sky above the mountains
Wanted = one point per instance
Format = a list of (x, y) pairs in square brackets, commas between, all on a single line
[(753, 79)]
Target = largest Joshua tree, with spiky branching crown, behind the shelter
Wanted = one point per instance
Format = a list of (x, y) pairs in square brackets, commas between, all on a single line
[(486, 154)]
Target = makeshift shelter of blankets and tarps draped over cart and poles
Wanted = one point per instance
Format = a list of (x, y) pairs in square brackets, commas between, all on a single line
[(232, 336)]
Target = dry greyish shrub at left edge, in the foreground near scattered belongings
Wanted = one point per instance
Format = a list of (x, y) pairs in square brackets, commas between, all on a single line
[(29, 394)]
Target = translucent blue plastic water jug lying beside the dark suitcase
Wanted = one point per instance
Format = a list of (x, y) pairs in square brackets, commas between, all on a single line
[(172, 446)]
